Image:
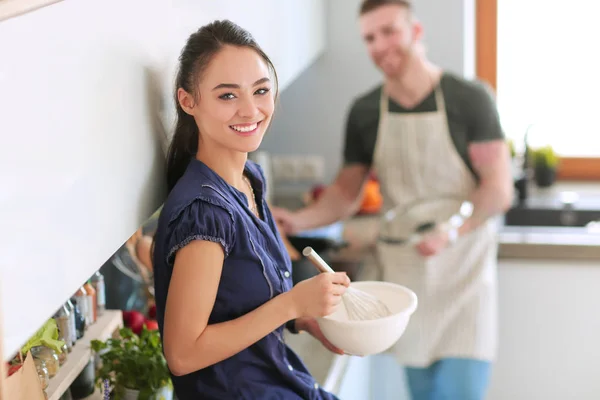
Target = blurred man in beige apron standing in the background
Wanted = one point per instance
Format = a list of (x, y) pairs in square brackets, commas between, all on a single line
[(428, 134)]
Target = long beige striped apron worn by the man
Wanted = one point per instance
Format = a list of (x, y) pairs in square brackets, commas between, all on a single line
[(415, 158)]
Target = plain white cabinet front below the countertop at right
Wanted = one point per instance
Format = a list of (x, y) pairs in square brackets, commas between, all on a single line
[(549, 331)]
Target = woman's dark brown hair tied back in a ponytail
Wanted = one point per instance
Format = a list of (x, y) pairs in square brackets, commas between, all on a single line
[(198, 52)]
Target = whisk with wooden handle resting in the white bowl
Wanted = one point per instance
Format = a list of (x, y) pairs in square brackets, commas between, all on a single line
[(359, 305)]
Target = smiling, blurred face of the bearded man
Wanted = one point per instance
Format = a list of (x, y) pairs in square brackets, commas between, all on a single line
[(390, 34)]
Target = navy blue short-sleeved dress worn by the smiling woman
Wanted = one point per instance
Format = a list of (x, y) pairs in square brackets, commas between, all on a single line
[(202, 206)]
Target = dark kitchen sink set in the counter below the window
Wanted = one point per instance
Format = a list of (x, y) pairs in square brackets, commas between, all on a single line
[(554, 212)]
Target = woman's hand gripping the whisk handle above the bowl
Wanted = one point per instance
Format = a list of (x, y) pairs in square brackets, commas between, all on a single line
[(319, 295)]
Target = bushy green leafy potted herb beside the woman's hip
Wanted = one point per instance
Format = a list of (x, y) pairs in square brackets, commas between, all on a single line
[(133, 367)]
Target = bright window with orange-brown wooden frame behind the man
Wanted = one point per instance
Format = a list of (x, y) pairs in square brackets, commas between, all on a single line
[(542, 63)]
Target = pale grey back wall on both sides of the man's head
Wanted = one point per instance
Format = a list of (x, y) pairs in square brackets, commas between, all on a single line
[(312, 112)]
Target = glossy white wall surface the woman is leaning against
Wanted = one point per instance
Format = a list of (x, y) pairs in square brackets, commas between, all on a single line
[(81, 166)]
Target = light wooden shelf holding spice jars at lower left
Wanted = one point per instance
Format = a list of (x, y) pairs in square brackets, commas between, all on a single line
[(77, 359)]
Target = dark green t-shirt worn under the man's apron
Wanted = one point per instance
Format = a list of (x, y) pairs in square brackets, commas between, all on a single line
[(470, 109)]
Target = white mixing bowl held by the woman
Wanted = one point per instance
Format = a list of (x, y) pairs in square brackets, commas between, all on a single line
[(367, 337)]
